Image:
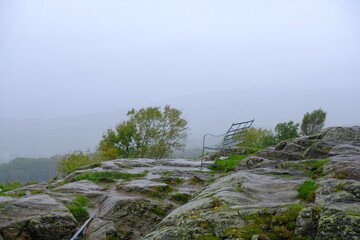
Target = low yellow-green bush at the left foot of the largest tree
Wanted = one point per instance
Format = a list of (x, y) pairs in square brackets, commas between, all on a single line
[(76, 159)]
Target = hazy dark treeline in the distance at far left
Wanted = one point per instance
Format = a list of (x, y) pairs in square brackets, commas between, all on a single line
[(29, 169)]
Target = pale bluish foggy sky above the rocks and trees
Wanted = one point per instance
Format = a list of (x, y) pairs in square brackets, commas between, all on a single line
[(218, 61)]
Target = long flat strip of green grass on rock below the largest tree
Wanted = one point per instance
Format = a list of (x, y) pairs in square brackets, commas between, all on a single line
[(102, 176)]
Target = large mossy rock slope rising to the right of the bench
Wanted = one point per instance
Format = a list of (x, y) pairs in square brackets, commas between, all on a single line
[(264, 188)]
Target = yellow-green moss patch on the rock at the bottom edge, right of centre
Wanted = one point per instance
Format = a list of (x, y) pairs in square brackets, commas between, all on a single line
[(268, 225)]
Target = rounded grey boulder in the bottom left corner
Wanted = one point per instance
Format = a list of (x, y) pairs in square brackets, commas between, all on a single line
[(36, 217)]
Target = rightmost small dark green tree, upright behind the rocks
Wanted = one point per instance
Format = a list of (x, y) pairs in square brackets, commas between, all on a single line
[(313, 122)]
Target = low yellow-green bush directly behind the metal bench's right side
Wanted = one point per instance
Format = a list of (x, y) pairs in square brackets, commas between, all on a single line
[(259, 138)]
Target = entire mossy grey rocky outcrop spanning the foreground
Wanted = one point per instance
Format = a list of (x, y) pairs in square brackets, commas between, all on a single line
[(304, 188)]
